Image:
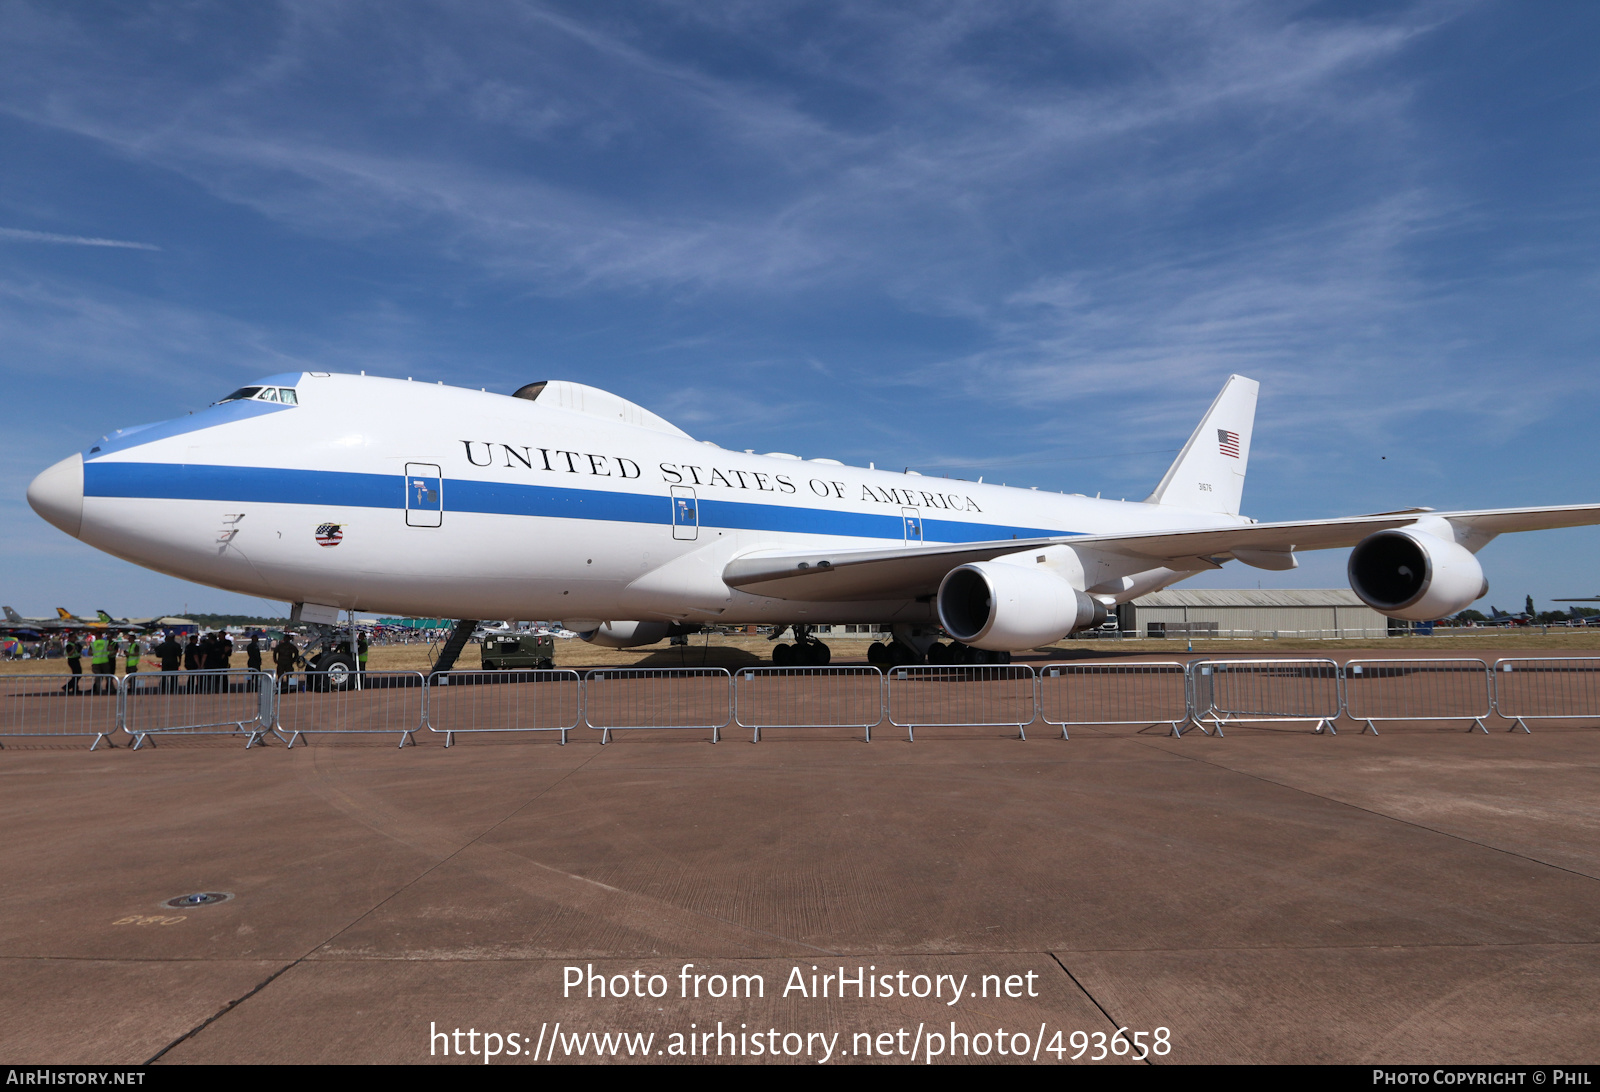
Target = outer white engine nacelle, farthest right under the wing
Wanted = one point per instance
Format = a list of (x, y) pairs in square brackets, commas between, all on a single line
[(1414, 576)]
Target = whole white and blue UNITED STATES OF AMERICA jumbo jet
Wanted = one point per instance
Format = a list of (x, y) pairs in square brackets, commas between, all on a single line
[(342, 492)]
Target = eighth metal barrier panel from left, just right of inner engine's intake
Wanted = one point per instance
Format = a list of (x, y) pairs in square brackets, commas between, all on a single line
[(1113, 694)]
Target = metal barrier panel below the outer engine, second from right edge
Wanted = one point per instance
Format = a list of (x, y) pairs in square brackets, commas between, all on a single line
[(1417, 691)]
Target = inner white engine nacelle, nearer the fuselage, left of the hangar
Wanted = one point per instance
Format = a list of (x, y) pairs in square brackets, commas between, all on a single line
[(1009, 608)]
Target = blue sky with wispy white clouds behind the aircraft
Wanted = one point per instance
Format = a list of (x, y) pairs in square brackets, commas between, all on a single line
[(1023, 241)]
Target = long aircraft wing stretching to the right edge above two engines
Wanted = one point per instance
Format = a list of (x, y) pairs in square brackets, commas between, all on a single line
[(908, 572)]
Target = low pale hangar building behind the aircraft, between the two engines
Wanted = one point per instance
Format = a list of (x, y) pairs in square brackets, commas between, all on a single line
[(1311, 612)]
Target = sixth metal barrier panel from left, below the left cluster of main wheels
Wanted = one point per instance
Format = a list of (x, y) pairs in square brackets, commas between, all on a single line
[(807, 699)]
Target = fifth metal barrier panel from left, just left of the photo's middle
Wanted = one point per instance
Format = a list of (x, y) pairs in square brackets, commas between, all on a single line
[(658, 699)]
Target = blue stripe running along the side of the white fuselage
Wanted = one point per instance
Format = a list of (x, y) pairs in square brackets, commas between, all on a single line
[(270, 486)]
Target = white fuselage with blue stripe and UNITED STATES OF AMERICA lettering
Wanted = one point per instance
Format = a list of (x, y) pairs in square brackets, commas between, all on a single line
[(534, 512)]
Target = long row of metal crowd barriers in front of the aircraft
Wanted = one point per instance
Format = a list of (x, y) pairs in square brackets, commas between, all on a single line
[(1212, 694)]
